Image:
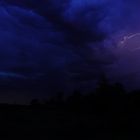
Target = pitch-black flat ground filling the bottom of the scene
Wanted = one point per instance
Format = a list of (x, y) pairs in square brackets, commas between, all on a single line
[(110, 117)]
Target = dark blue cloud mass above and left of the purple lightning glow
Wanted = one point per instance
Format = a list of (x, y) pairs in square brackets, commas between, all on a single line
[(62, 41)]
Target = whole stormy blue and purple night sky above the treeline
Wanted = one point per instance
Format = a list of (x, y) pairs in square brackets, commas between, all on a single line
[(63, 45)]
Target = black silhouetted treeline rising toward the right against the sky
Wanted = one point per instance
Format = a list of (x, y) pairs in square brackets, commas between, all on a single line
[(107, 98)]
